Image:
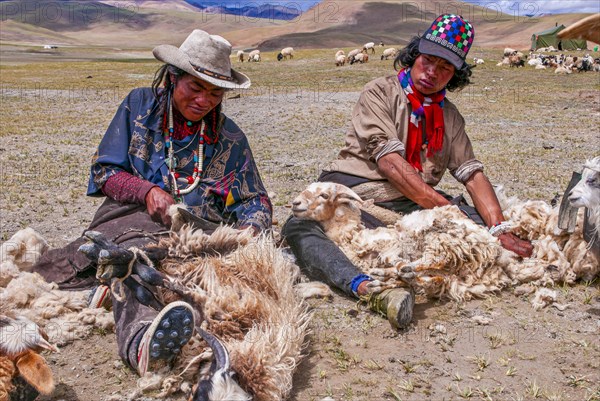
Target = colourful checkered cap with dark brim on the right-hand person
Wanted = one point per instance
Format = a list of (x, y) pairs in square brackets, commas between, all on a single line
[(450, 37)]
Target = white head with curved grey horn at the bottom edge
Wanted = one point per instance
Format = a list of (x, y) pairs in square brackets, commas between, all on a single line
[(221, 384)]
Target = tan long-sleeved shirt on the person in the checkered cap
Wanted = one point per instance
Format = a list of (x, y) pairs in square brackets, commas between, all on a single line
[(380, 126)]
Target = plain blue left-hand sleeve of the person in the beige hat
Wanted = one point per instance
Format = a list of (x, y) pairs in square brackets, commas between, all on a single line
[(112, 155)]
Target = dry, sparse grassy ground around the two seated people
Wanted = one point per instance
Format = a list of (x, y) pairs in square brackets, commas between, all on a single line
[(530, 128)]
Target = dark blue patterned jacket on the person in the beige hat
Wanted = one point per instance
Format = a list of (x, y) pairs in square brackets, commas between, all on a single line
[(230, 189)]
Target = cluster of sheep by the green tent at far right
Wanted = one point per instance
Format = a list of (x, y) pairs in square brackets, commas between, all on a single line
[(561, 63)]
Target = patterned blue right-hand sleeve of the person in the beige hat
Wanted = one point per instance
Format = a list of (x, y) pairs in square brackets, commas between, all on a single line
[(247, 200)]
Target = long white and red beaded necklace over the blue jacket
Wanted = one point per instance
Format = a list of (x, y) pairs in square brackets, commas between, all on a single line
[(194, 179)]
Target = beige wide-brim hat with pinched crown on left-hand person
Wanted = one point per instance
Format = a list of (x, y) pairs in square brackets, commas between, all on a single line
[(206, 57)]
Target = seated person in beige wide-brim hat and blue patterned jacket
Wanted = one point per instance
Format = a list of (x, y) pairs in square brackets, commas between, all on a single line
[(167, 144)]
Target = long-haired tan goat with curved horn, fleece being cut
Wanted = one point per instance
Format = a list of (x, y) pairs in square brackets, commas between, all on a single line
[(248, 312)]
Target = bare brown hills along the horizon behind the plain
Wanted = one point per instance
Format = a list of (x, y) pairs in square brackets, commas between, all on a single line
[(329, 24)]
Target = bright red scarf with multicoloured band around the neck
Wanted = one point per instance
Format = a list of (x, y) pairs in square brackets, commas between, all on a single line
[(431, 114)]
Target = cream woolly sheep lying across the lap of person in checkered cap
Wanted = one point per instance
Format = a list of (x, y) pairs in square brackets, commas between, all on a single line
[(440, 252)]
